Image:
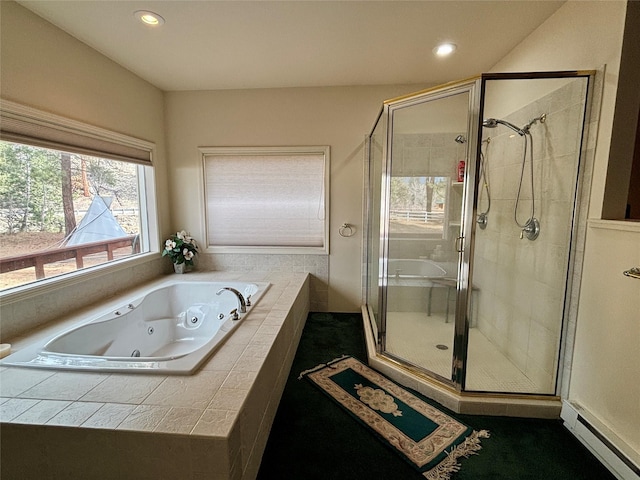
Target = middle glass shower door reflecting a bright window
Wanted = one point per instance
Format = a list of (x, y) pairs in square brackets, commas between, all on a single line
[(422, 228)]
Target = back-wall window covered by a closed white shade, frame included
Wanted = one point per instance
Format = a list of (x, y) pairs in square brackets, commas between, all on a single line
[(267, 199)]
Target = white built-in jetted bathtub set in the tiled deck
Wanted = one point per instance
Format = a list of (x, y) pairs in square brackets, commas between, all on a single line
[(170, 329)]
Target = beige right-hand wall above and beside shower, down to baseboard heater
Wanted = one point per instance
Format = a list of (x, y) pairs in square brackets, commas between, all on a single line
[(588, 35)]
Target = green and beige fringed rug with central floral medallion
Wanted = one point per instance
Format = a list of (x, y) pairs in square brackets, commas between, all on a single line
[(430, 440)]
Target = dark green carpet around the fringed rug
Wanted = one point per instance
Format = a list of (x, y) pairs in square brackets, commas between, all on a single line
[(313, 438)]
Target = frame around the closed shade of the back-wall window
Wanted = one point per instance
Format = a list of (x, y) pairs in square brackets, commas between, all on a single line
[(256, 151)]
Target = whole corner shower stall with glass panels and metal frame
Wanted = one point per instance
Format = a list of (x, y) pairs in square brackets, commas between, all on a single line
[(472, 215)]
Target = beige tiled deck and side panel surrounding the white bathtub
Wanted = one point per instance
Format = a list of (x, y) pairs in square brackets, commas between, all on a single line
[(213, 424)]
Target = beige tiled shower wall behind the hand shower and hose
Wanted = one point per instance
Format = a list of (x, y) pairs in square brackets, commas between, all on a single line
[(520, 284)]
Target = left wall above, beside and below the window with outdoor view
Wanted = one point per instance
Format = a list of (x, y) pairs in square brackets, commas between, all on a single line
[(44, 68)]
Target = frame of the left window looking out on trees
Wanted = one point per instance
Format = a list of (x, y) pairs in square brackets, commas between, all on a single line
[(149, 234)]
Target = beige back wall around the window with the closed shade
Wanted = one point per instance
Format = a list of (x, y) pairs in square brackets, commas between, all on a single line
[(335, 116)]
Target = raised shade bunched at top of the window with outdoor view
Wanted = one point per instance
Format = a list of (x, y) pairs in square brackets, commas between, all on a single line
[(22, 124)]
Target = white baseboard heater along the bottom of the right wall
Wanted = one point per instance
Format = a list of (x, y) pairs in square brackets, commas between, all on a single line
[(616, 455)]
